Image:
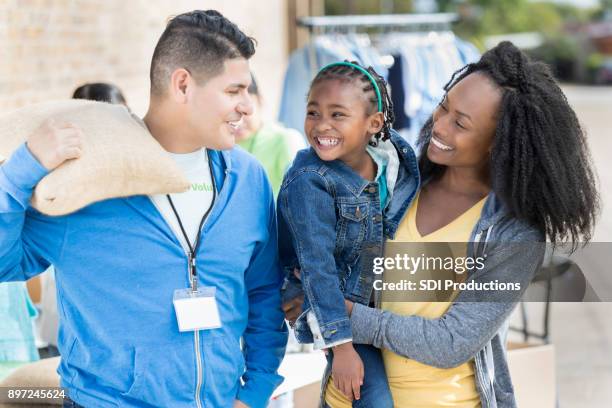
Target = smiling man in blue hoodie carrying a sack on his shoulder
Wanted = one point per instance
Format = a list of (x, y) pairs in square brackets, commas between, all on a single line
[(156, 294)]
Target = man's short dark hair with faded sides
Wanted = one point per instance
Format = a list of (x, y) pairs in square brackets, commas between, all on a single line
[(200, 42)]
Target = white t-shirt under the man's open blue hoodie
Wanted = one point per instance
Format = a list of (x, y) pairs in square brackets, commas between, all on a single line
[(192, 204)]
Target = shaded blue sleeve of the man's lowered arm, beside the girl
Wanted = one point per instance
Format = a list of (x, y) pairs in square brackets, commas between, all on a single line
[(265, 338)]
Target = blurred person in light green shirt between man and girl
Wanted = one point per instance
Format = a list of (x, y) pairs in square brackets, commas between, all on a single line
[(272, 144)]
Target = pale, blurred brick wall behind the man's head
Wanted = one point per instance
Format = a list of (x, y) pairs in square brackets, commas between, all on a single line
[(48, 47)]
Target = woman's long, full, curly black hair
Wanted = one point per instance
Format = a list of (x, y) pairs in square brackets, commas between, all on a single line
[(540, 166)]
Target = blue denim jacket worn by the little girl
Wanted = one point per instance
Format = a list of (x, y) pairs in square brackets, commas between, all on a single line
[(331, 226)]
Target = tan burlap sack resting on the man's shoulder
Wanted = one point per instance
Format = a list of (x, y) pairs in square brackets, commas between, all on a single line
[(120, 157)]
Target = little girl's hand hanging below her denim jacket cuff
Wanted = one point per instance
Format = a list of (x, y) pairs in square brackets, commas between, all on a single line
[(347, 371)]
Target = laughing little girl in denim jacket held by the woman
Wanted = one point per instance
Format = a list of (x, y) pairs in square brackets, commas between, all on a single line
[(337, 203)]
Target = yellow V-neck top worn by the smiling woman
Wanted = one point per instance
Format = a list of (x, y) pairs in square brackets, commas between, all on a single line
[(412, 384)]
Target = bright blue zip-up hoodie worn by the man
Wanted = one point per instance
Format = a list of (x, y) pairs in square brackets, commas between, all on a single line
[(117, 266)]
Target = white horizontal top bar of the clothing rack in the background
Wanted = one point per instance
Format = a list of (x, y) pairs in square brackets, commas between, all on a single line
[(413, 22)]
